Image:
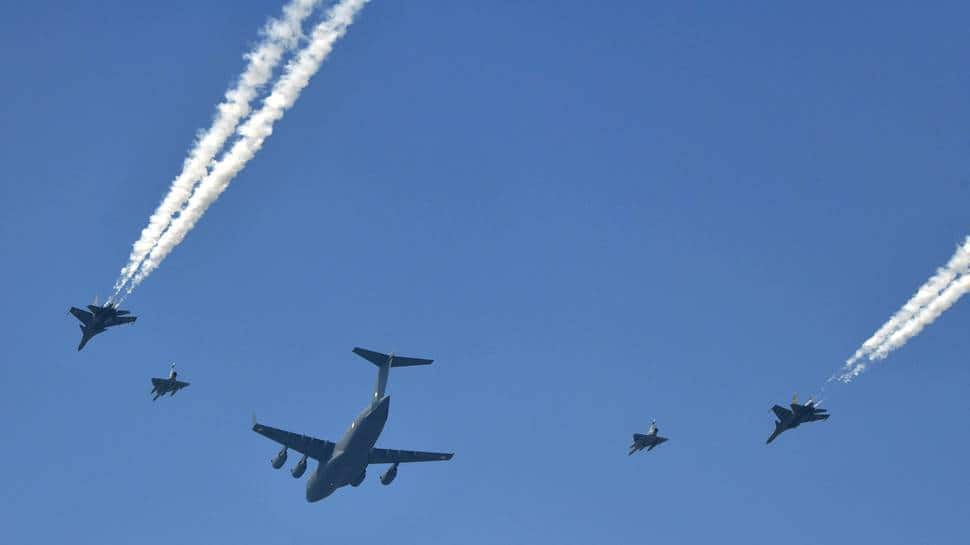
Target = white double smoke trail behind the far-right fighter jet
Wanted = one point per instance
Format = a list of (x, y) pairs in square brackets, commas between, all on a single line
[(938, 294)]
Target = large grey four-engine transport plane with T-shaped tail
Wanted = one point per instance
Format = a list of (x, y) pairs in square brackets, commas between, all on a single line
[(345, 462)]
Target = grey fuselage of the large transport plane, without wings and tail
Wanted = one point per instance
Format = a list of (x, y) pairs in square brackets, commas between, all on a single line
[(348, 462)]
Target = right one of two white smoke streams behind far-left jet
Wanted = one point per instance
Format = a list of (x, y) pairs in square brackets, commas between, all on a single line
[(254, 131)]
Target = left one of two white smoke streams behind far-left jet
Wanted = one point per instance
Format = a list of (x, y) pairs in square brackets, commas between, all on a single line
[(279, 36)]
